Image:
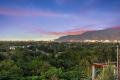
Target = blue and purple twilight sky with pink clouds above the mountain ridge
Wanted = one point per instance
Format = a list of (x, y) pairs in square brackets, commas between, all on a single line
[(49, 19)]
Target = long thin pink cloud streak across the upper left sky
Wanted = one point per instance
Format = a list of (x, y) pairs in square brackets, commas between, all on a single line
[(26, 12)]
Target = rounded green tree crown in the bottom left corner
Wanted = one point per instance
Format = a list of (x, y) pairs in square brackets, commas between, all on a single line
[(9, 70)]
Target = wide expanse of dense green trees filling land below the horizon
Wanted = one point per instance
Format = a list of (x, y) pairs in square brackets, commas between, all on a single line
[(54, 61)]
